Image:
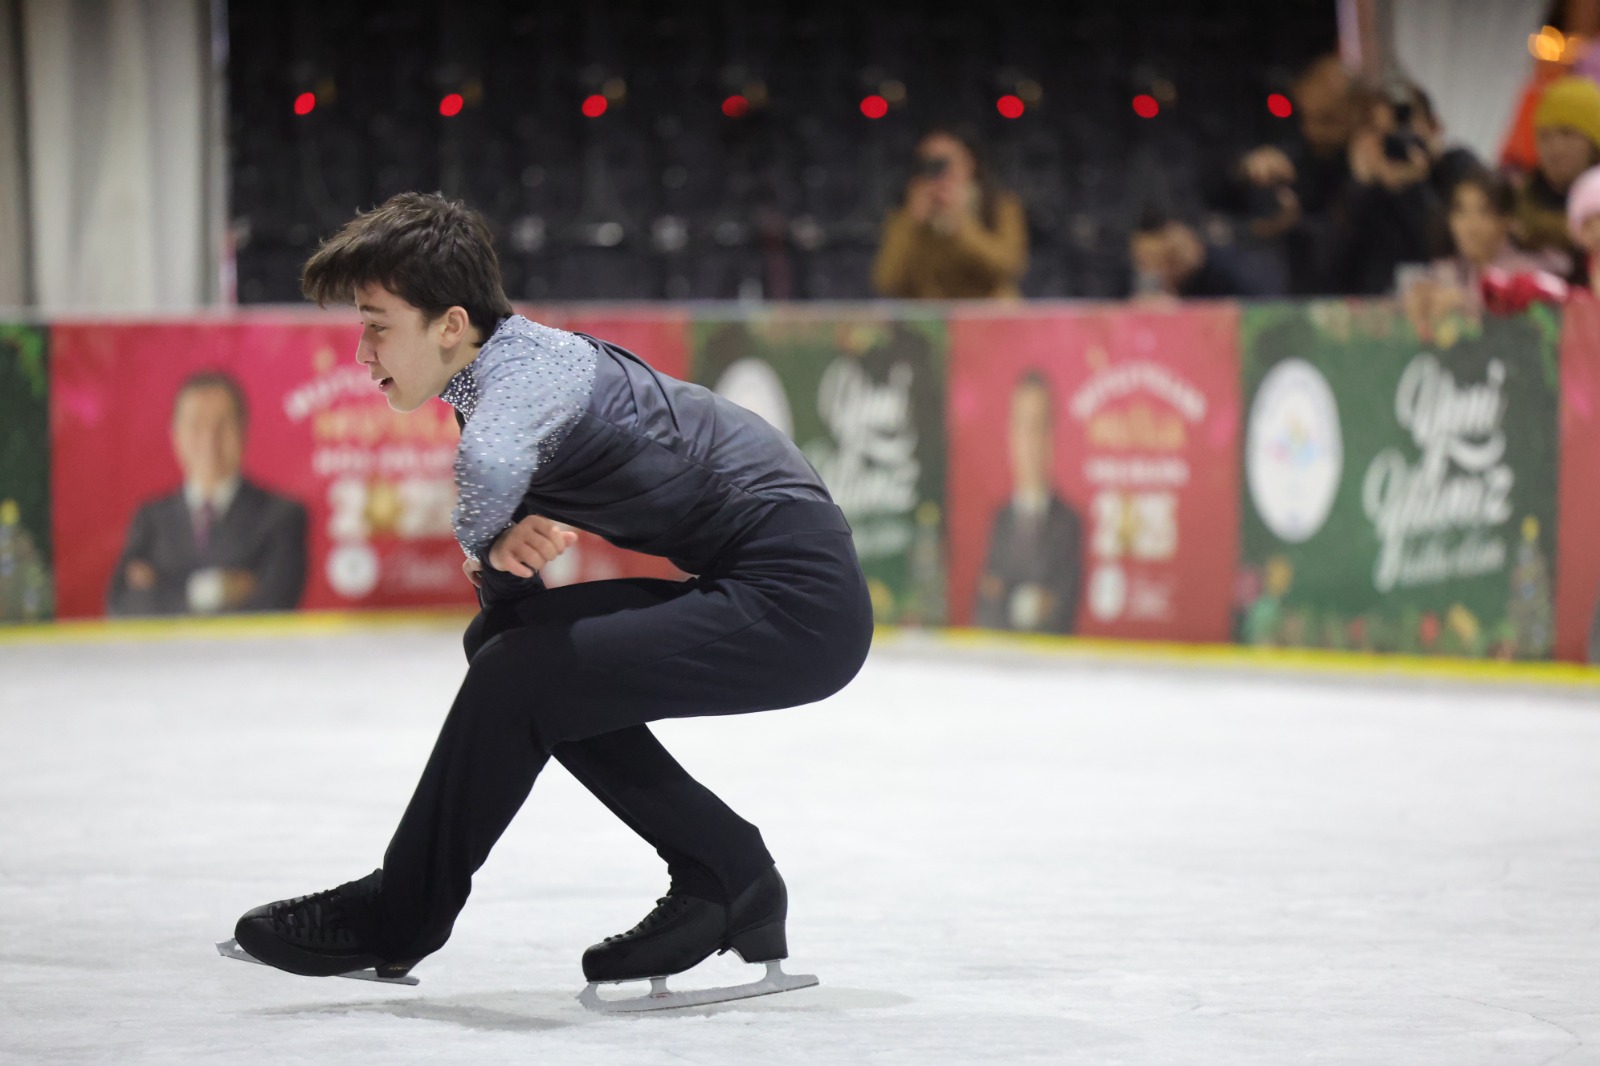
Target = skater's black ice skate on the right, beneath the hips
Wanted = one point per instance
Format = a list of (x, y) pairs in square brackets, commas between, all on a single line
[(686, 931)]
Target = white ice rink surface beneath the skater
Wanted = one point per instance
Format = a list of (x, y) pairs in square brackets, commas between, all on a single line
[(988, 860)]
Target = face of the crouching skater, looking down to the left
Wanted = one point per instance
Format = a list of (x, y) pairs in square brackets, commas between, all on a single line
[(410, 358)]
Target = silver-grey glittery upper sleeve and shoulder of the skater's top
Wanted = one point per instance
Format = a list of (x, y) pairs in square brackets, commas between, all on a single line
[(530, 390)]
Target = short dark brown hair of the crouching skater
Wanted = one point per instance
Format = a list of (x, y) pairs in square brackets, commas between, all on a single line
[(431, 252)]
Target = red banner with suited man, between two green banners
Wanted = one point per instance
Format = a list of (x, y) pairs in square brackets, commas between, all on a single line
[(1094, 471)]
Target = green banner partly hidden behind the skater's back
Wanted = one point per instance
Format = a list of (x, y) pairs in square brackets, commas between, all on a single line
[(865, 401)]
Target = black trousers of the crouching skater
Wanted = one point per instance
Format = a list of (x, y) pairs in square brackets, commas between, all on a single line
[(577, 673)]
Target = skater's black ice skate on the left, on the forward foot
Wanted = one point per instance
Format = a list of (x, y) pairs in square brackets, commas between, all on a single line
[(316, 937)]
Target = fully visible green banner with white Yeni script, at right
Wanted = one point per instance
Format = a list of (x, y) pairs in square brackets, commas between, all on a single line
[(1399, 494)]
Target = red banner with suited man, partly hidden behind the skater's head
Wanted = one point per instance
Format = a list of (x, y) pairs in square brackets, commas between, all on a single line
[(252, 465)]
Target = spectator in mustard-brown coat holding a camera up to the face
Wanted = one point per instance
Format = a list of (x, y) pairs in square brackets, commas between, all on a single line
[(958, 234)]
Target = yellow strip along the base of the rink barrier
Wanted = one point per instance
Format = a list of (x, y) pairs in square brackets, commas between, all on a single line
[(1570, 676)]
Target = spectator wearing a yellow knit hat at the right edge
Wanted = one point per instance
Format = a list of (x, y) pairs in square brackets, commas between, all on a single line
[(1567, 137)]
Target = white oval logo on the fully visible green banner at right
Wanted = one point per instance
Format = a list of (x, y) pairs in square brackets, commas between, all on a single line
[(1294, 452)]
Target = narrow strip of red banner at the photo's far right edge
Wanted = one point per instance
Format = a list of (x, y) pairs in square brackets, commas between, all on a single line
[(1578, 503)]
